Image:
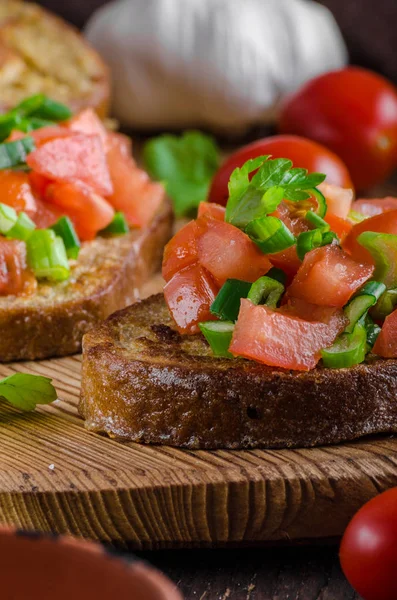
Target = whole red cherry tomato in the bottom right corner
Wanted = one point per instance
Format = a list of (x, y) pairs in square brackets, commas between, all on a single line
[(368, 551)]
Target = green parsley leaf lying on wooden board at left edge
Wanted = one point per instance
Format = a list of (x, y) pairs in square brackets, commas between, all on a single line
[(25, 391)]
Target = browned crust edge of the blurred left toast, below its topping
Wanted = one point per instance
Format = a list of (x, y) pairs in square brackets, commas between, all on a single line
[(57, 330)]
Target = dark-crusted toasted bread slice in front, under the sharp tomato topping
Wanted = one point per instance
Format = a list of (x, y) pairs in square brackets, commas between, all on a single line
[(144, 382)]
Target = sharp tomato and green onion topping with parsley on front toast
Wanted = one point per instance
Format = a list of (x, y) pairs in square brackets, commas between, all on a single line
[(290, 273)]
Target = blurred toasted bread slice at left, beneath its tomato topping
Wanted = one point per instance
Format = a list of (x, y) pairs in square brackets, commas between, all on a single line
[(107, 276)]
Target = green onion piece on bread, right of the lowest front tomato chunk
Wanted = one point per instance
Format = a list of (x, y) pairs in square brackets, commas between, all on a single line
[(348, 350)]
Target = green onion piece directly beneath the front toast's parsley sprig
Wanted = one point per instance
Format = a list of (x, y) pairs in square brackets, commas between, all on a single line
[(270, 234)]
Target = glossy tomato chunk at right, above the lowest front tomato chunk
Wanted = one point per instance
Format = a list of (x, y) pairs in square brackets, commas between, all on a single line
[(328, 277)]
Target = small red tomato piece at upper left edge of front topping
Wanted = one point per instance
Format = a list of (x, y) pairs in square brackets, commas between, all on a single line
[(181, 250)]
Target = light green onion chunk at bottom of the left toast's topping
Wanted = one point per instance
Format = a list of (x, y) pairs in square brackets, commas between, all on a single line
[(46, 255)]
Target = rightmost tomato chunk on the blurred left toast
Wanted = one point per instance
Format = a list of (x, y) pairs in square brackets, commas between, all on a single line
[(134, 193)]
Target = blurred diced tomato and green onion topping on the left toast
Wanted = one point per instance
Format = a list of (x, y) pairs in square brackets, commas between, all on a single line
[(64, 180)]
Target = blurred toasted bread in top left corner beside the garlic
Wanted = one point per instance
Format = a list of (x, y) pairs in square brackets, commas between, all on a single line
[(39, 52)]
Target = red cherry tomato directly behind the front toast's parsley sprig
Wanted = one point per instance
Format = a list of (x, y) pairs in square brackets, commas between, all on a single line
[(303, 153)]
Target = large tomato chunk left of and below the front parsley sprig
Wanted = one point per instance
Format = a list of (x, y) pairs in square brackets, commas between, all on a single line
[(228, 253)]
